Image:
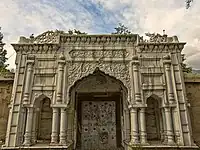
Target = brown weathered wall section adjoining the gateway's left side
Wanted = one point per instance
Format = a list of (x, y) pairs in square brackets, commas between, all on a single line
[(6, 83)]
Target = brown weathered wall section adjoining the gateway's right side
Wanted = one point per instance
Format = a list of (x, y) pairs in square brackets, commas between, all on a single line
[(192, 83)]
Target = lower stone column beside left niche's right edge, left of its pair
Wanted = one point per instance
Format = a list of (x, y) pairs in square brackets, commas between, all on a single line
[(55, 126)]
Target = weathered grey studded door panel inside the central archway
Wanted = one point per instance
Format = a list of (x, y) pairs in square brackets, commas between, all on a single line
[(98, 125)]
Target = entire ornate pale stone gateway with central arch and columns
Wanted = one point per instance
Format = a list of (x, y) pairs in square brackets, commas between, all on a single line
[(98, 92)]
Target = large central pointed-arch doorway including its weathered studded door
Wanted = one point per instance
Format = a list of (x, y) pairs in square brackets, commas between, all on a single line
[(99, 104)]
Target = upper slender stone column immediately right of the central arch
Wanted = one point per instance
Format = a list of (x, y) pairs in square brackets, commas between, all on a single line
[(136, 80)]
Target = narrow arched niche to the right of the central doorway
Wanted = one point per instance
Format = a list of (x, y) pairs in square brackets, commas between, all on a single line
[(153, 120)]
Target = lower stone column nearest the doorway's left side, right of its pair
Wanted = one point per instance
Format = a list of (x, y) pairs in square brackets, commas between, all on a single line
[(63, 128)]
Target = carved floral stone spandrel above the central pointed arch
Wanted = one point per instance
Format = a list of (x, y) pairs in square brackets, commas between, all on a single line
[(118, 70)]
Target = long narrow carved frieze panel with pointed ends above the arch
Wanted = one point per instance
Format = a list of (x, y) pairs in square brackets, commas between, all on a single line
[(117, 53)]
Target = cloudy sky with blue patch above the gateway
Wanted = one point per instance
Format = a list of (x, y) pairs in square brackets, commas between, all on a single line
[(24, 17)]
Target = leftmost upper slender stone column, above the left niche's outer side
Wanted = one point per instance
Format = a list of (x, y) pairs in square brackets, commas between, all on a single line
[(30, 63)]
